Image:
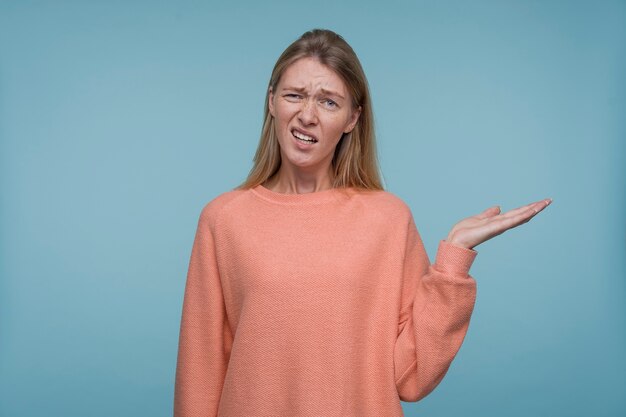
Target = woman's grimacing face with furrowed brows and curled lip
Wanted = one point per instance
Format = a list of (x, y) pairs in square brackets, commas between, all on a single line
[(311, 101)]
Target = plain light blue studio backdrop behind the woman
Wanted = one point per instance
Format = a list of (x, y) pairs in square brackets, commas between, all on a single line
[(119, 120)]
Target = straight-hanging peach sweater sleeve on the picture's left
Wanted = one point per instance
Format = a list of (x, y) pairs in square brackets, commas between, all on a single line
[(205, 338)]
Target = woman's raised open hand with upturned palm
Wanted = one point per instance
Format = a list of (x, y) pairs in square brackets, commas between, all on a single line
[(477, 229)]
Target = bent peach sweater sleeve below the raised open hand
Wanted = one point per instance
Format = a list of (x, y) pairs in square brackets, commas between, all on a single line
[(437, 302)]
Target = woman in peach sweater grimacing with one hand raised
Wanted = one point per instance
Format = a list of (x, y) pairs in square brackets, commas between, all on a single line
[(309, 291)]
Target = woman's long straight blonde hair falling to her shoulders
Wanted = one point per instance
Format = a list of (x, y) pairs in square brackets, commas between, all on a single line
[(355, 161)]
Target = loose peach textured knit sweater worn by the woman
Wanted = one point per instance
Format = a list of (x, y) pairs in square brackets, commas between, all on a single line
[(322, 304)]
